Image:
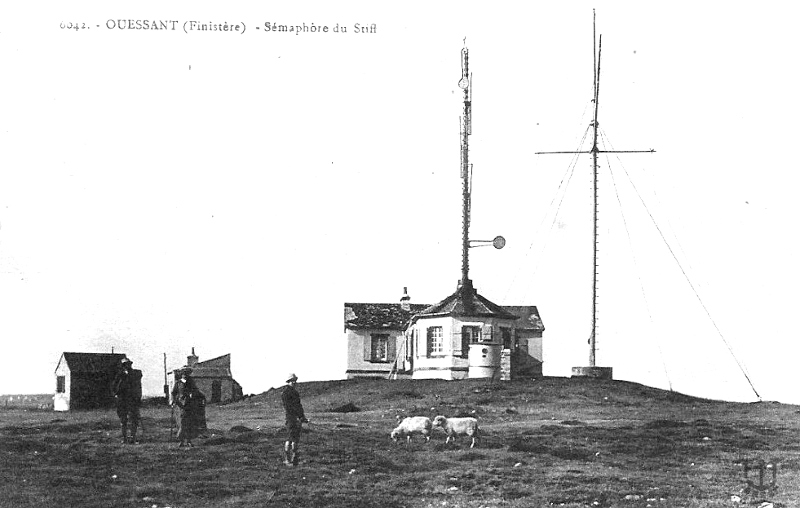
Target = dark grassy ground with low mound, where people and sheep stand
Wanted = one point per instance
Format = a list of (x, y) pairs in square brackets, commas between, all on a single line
[(552, 442)]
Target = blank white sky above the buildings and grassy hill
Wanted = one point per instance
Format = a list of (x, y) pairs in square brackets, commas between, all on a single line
[(230, 191)]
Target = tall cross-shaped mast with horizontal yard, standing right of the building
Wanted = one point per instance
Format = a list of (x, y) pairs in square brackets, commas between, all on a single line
[(596, 52)]
